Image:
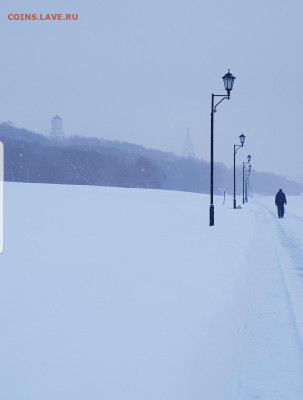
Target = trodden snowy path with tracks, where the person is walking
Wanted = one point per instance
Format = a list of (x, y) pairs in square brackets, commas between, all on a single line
[(271, 364)]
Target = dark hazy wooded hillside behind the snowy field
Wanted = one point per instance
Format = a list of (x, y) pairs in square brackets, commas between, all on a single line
[(31, 157)]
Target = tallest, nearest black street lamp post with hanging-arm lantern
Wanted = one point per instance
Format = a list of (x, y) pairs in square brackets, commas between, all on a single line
[(228, 80)]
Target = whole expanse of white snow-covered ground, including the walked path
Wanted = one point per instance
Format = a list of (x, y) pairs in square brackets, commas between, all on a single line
[(109, 293)]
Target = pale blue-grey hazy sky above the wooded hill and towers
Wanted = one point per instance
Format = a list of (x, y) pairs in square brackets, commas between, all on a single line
[(143, 71)]
